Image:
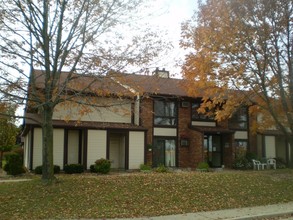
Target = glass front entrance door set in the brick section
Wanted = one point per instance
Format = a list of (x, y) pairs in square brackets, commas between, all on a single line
[(213, 150)]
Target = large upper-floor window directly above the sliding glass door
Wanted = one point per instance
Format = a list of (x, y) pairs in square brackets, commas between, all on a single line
[(165, 113)]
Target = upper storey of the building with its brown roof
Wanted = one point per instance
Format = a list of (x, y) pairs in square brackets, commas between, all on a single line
[(151, 101)]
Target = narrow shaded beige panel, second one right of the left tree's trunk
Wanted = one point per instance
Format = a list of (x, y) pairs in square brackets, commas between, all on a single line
[(73, 143)]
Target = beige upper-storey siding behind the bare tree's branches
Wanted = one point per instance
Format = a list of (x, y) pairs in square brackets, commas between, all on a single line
[(112, 110)]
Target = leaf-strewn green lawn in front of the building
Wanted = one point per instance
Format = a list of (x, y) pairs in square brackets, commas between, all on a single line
[(143, 194)]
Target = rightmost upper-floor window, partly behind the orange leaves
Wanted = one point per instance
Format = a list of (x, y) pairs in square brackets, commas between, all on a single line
[(239, 120)]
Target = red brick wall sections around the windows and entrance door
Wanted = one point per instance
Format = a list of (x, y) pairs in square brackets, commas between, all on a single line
[(186, 156)]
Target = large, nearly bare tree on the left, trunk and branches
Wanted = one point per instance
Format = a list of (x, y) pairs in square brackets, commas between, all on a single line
[(83, 37)]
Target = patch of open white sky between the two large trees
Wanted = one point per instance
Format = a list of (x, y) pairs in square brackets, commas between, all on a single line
[(174, 12)]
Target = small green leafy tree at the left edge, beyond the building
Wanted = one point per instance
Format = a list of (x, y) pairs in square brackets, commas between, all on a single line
[(8, 130)]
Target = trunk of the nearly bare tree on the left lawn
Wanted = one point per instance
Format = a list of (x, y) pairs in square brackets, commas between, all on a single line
[(47, 129)]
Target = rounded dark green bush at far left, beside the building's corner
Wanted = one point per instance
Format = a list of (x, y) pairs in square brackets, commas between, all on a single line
[(13, 164)]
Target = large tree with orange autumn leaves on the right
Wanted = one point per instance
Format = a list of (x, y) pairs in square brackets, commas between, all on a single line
[(243, 45)]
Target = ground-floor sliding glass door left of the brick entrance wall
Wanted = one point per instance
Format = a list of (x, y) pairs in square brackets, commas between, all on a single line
[(164, 152)]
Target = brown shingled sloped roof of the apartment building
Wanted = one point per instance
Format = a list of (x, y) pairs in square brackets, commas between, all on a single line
[(119, 84)]
